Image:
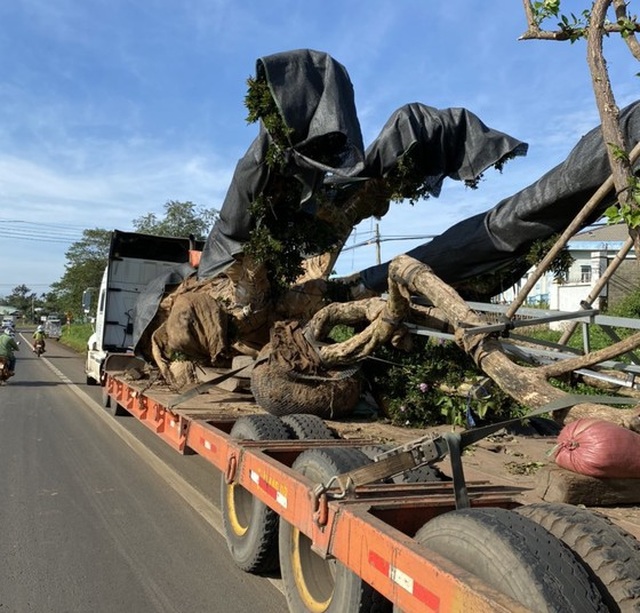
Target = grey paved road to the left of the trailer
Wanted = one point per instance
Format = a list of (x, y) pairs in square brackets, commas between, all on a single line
[(99, 515)]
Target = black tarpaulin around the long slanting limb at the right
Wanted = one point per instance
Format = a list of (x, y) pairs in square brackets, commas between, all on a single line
[(493, 240)]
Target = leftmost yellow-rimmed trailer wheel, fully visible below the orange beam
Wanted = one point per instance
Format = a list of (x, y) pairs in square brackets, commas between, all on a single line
[(250, 526)]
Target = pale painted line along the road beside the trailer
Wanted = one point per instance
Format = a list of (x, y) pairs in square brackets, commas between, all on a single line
[(199, 503)]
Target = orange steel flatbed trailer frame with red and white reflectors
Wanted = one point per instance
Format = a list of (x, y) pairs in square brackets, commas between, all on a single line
[(368, 529)]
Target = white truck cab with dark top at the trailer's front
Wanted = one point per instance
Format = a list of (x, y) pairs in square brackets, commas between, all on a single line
[(134, 261)]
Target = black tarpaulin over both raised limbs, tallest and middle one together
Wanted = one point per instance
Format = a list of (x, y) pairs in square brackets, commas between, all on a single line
[(315, 97)]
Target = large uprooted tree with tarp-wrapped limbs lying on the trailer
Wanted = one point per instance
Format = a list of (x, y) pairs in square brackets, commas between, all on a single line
[(262, 288)]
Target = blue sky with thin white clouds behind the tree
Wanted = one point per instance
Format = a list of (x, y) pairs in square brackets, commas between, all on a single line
[(111, 108)]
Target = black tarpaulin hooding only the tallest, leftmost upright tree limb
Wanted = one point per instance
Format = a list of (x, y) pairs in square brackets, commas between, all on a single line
[(315, 98)]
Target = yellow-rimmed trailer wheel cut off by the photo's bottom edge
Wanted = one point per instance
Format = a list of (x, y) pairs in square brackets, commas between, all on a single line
[(312, 583)]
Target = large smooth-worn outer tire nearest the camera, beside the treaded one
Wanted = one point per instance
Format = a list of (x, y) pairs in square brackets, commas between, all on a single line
[(515, 556)]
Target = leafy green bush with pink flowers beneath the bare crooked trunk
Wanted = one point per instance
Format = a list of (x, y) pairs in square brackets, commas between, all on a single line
[(413, 388)]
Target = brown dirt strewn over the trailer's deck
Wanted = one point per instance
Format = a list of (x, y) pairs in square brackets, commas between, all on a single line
[(520, 458)]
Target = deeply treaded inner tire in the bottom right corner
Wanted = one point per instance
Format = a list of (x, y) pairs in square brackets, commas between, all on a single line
[(610, 555)]
